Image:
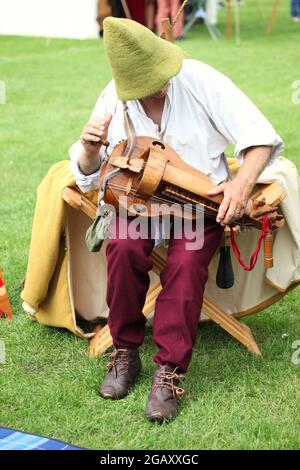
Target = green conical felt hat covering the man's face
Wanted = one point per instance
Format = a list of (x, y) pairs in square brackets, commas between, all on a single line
[(141, 62)]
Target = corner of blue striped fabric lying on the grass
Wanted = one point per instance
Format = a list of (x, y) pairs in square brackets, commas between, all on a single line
[(11, 439)]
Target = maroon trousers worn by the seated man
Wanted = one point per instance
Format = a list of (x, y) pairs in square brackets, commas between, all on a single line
[(178, 305)]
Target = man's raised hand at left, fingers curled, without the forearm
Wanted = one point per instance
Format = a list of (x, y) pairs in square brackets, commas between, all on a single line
[(93, 133)]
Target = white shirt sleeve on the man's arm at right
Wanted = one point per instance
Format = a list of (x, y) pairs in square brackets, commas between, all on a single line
[(235, 116)]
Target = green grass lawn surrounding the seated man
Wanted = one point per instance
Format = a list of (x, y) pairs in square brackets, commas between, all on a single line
[(48, 385)]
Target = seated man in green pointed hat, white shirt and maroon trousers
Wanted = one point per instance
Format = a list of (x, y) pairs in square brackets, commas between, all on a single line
[(197, 111)]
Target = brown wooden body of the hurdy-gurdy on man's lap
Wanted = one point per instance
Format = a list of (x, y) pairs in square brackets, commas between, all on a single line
[(143, 199)]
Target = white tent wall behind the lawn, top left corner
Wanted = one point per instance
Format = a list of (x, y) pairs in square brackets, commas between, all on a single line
[(50, 18)]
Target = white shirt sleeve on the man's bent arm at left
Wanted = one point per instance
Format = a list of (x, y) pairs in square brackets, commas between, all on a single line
[(105, 104)]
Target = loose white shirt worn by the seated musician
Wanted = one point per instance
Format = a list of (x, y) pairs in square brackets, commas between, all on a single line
[(203, 112)]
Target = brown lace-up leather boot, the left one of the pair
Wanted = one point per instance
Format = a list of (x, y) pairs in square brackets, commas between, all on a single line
[(122, 371)]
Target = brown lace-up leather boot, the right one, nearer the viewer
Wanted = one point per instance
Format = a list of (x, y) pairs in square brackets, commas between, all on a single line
[(162, 402)]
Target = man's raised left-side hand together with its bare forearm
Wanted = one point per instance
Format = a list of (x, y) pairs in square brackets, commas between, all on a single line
[(92, 136)]
